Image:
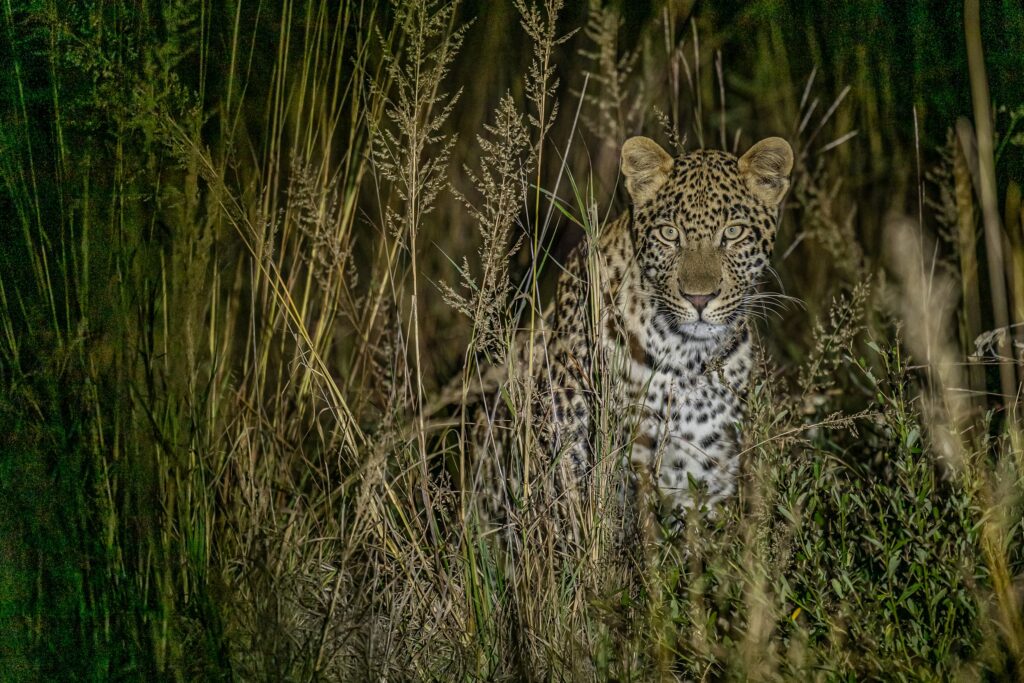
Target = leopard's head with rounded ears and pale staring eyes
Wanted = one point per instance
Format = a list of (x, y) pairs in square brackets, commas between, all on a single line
[(704, 228)]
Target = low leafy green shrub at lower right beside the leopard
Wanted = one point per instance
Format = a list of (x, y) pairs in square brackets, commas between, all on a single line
[(883, 556)]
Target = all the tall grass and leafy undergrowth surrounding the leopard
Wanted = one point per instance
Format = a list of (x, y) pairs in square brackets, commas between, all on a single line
[(257, 255)]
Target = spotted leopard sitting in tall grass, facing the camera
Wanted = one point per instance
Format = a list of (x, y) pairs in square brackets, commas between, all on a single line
[(658, 307)]
